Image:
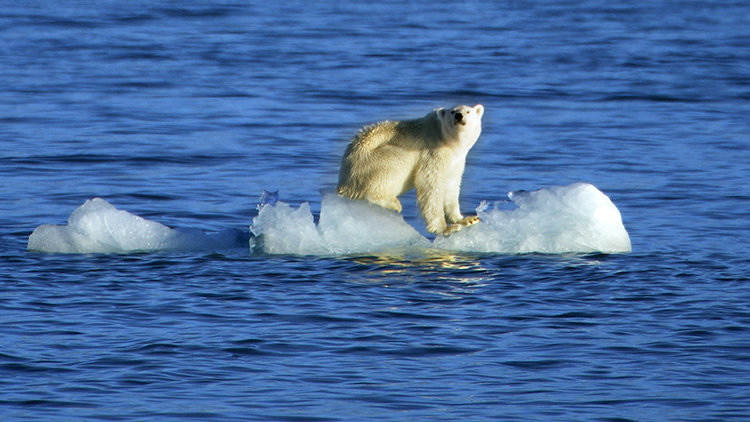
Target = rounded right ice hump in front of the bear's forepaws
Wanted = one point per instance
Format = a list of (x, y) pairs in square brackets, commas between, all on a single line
[(575, 218)]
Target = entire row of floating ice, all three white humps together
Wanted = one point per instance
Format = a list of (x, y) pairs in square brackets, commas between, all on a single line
[(564, 219)]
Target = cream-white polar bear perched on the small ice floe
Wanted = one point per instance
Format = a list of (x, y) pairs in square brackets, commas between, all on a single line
[(387, 159)]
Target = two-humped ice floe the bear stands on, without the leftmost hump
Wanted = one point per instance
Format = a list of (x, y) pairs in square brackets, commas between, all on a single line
[(563, 219)]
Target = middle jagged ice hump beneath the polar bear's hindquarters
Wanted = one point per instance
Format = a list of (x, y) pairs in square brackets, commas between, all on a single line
[(345, 227)]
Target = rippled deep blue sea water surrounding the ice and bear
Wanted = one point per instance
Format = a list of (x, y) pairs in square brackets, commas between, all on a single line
[(185, 112)]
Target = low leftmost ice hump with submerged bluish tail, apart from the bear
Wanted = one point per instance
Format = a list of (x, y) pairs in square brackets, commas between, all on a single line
[(98, 227)]
